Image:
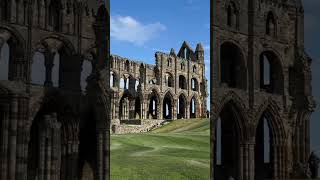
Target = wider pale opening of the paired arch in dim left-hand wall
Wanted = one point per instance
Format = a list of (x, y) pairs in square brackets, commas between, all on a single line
[(38, 69)]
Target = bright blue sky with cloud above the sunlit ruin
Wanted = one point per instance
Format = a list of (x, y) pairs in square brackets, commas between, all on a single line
[(158, 26)]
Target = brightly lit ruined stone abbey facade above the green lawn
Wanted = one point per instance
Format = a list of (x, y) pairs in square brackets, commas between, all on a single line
[(174, 88)]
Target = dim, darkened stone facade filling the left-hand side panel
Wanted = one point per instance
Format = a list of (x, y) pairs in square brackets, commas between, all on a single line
[(54, 96)]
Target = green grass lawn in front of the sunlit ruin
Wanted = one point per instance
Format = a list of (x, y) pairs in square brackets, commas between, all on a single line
[(179, 150)]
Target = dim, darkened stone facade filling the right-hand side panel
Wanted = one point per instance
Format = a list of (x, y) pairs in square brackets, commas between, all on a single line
[(261, 94)]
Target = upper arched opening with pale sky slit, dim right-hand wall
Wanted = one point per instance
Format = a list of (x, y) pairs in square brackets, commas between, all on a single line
[(271, 77)]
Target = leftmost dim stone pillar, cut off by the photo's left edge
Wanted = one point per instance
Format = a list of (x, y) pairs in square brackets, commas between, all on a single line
[(4, 140)]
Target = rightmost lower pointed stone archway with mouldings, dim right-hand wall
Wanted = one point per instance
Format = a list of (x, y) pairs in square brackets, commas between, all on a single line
[(270, 157)]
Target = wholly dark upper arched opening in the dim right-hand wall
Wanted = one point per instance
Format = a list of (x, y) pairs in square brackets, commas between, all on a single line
[(233, 70)]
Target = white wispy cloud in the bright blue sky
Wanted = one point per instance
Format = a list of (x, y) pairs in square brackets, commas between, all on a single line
[(126, 28)]
